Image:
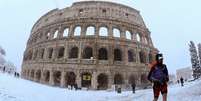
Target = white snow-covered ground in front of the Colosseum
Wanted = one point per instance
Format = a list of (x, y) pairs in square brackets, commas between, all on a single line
[(16, 89)]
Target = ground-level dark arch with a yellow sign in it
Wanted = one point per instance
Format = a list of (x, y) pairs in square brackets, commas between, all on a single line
[(86, 80)]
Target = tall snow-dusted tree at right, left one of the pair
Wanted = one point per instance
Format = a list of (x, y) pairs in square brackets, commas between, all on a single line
[(194, 60)]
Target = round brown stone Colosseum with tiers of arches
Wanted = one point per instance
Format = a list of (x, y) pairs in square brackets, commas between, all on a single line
[(94, 44)]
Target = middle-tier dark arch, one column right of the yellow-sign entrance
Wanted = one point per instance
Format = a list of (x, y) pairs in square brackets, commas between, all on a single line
[(102, 54)]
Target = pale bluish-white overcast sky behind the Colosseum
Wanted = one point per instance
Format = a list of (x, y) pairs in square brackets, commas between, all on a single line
[(173, 23)]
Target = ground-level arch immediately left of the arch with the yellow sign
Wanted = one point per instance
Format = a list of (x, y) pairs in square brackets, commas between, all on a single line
[(70, 78)]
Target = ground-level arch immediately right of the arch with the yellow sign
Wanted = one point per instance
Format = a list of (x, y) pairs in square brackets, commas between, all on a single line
[(102, 82)]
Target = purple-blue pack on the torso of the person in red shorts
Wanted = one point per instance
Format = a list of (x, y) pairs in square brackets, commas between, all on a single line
[(158, 74)]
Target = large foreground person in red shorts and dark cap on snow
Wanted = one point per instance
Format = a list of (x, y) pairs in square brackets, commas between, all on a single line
[(158, 75)]
